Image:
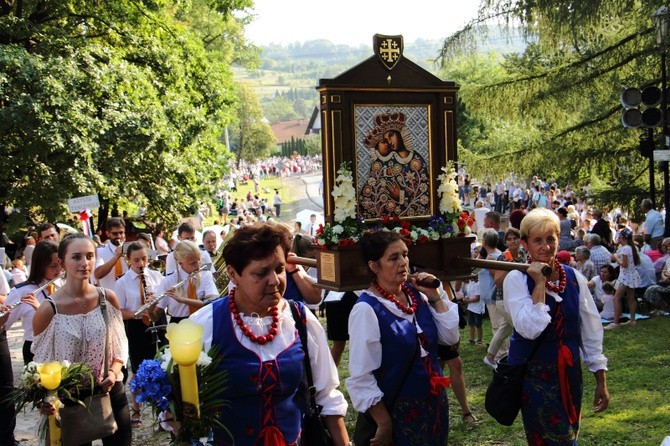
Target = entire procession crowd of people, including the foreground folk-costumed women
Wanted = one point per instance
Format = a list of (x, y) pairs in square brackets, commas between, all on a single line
[(543, 320)]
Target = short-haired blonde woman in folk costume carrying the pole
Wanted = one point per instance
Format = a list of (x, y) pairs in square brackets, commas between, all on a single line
[(559, 313)]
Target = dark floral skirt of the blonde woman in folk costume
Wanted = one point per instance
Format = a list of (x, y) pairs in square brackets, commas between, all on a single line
[(544, 417)]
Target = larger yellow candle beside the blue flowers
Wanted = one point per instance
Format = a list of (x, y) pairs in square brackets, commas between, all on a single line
[(185, 345)]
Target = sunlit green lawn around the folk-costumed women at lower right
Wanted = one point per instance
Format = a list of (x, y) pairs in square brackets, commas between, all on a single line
[(638, 381)]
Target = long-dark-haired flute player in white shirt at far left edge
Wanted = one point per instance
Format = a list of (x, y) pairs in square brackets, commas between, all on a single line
[(25, 298)]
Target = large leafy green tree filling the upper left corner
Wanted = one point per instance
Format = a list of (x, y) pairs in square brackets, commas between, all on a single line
[(125, 99)]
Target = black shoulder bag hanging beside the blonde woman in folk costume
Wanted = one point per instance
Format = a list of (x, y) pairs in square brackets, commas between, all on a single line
[(503, 396)]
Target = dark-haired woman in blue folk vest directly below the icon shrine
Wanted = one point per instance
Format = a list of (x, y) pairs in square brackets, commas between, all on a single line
[(394, 328)]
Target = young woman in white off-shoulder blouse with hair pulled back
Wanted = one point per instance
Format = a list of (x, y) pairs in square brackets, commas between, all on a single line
[(70, 325)]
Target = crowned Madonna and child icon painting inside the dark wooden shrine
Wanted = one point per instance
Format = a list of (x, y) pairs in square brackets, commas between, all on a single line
[(393, 161)]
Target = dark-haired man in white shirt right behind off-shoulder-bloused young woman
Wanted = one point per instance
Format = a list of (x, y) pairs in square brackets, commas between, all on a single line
[(110, 263)]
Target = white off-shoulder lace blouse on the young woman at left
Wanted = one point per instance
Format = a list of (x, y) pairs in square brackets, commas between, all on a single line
[(81, 338)]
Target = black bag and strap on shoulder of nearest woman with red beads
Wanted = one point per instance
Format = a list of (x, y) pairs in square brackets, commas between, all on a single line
[(314, 431)]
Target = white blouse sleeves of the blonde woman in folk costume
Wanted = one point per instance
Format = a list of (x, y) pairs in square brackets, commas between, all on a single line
[(530, 319)]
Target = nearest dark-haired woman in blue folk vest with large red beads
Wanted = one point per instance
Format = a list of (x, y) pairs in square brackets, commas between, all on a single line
[(254, 330)]
